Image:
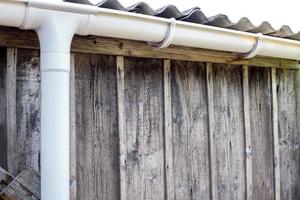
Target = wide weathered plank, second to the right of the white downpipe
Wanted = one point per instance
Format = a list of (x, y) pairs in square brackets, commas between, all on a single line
[(144, 129)]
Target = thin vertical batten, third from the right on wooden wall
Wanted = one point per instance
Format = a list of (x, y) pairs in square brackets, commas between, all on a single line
[(212, 153)]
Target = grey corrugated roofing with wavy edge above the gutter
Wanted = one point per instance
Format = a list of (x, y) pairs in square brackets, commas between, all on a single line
[(195, 15)]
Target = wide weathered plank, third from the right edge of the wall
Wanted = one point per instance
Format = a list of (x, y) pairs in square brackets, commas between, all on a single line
[(229, 131)]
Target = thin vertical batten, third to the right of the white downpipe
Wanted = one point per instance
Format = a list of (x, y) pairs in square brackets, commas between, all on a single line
[(168, 132)]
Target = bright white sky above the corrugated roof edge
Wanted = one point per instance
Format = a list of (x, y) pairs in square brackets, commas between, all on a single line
[(277, 12)]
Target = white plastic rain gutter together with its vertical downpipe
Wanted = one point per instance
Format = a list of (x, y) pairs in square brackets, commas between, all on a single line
[(56, 23)]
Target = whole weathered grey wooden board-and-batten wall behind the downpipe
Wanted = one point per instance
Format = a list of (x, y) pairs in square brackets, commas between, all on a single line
[(157, 129)]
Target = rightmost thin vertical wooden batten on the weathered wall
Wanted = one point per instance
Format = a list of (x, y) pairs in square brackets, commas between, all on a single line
[(275, 135)]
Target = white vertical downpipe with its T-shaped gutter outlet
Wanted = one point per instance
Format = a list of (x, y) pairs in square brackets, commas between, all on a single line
[(55, 31)]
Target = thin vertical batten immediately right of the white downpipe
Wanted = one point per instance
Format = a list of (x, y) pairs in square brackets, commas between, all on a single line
[(72, 130)]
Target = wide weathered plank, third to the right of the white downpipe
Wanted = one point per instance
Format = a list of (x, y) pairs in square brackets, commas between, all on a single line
[(190, 138)]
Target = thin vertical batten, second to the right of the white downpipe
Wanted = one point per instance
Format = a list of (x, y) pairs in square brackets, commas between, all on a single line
[(121, 120)]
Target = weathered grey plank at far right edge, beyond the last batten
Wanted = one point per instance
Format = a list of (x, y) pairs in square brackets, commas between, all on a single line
[(288, 84)]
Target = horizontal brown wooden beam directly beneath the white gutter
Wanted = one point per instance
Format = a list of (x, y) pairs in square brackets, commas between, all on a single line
[(12, 37)]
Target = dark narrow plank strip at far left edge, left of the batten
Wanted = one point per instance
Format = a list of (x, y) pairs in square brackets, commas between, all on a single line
[(3, 106)]
